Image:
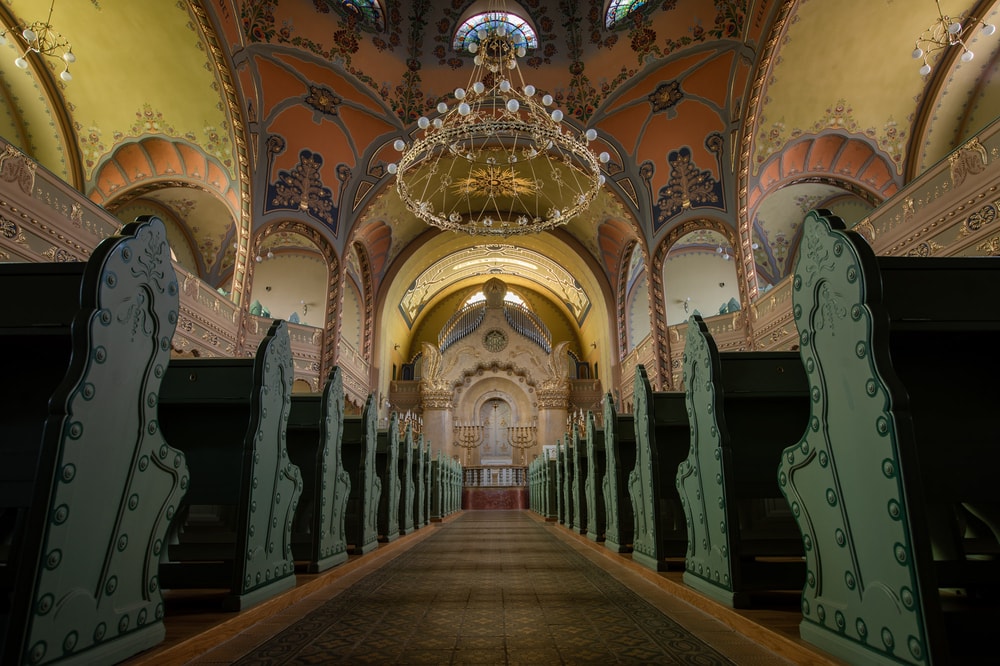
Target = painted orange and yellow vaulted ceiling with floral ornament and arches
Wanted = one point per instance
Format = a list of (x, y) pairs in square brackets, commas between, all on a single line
[(733, 115)]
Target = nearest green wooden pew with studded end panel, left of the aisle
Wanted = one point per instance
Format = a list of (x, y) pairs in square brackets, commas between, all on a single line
[(87, 481)]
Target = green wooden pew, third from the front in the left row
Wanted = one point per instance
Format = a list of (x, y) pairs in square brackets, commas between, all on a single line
[(315, 440)]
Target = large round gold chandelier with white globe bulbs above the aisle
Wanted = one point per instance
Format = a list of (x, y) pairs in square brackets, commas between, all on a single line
[(498, 161)]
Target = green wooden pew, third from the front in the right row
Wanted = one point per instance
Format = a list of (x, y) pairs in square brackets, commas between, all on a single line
[(662, 440)]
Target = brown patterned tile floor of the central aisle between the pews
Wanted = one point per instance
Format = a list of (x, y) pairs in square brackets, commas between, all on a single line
[(491, 587)]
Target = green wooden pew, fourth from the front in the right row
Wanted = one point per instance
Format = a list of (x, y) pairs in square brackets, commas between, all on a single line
[(619, 446)]
